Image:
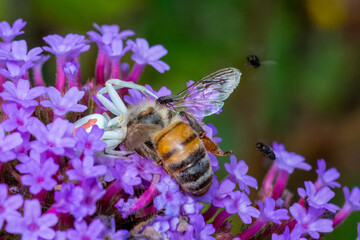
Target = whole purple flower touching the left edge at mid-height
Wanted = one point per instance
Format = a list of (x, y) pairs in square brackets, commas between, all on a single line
[(18, 118)]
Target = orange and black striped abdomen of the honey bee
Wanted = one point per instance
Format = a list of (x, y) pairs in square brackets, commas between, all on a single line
[(184, 157)]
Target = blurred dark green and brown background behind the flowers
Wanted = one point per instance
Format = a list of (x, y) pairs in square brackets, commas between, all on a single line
[(309, 100)]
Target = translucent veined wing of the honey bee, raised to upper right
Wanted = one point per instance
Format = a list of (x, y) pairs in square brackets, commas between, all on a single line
[(206, 96)]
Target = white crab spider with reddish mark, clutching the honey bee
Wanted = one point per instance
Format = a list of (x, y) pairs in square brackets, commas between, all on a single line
[(115, 128)]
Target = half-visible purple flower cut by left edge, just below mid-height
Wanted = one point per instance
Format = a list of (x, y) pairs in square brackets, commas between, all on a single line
[(8, 143)]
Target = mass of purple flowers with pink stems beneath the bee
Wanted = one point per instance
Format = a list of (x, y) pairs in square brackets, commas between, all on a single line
[(63, 186)]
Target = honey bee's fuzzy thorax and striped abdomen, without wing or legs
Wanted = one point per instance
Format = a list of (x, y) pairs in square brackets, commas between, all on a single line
[(155, 132)]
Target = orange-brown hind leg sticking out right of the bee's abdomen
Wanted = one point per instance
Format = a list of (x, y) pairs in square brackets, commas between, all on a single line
[(208, 143)]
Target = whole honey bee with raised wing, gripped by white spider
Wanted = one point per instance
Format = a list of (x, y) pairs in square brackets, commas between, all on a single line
[(167, 131)]
